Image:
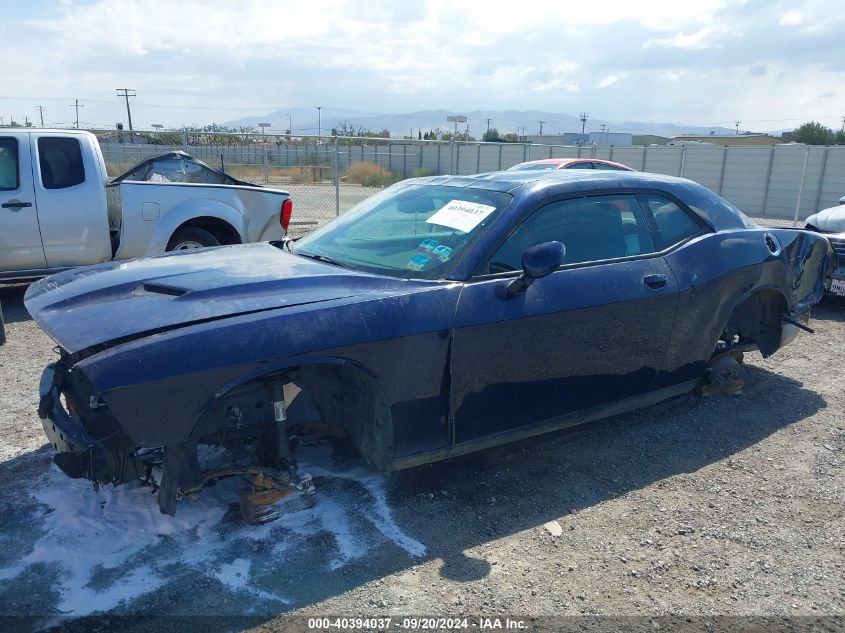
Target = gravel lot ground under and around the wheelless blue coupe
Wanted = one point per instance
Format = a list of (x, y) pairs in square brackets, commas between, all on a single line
[(695, 507)]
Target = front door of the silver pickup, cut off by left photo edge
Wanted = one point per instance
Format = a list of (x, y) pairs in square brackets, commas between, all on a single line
[(20, 238)]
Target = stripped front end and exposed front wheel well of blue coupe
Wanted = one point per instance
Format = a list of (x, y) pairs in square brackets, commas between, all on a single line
[(253, 429)]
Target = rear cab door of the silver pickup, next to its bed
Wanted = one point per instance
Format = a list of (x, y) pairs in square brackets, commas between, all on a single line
[(70, 188)]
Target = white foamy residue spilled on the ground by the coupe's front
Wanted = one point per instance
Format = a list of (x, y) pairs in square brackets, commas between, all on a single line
[(114, 546)]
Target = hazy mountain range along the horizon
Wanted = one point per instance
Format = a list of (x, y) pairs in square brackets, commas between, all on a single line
[(306, 121)]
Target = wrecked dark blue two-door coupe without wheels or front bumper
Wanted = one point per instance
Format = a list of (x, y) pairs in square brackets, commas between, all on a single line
[(441, 316)]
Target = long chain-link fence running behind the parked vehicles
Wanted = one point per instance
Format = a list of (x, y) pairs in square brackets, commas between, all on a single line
[(328, 175)]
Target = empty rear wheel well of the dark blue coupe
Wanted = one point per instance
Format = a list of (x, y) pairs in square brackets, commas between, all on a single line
[(757, 319)]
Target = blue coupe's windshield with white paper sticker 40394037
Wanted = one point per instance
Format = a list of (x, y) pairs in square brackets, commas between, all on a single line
[(410, 230)]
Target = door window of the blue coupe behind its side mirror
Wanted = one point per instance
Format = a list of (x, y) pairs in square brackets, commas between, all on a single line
[(592, 229)]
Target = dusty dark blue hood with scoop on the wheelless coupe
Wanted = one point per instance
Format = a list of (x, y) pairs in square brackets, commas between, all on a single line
[(119, 301)]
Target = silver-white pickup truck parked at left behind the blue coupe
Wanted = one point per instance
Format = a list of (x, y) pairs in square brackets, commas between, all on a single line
[(59, 210)]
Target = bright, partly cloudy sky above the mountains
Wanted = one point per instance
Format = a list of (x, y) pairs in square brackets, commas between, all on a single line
[(767, 63)]
